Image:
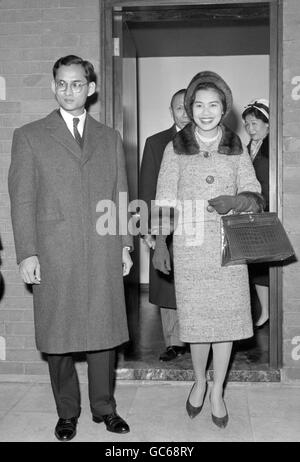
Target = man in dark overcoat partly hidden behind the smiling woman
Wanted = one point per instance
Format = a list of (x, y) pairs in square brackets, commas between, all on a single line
[(161, 286)]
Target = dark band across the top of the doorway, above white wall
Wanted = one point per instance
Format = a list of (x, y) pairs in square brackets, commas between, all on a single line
[(206, 30)]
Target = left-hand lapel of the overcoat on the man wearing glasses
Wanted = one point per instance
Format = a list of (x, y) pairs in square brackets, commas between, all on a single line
[(60, 132)]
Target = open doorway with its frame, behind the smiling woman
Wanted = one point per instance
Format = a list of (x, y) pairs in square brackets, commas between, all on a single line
[(240, 41)]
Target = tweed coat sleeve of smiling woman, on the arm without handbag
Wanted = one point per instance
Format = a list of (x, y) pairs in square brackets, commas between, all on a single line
[(166, 199)]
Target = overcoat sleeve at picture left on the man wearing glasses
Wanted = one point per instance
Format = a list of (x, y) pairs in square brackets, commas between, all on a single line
[(22, 186)]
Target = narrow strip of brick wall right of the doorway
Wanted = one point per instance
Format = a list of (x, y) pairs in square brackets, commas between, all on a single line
[(291, 186)]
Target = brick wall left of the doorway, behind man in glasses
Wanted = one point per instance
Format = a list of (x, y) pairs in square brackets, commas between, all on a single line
[(33, 34)]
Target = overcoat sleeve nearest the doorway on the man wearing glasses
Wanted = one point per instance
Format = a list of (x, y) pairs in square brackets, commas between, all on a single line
[(121, 195)]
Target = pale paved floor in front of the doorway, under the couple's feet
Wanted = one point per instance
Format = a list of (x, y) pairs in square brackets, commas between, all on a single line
[(156, 412)]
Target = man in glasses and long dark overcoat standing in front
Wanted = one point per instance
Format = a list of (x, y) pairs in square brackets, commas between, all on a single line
[(62, 169)]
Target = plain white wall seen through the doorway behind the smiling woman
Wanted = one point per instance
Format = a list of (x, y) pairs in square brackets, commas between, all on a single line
[(160, 78)]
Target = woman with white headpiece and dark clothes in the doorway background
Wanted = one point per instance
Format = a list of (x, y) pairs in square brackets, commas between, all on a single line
[(256, 119)]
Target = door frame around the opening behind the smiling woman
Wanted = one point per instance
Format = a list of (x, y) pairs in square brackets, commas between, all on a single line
[(108, 64)]
